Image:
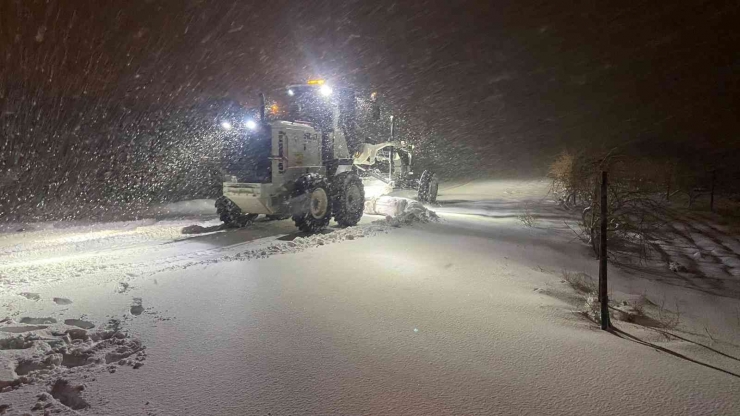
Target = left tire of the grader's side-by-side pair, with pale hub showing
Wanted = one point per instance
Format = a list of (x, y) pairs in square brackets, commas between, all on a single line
[(311, 203)]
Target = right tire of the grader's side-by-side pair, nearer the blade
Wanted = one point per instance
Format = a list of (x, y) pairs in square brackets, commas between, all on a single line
[(348, 199)]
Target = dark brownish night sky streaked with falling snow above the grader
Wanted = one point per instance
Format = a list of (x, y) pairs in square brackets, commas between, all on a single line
[(514, 81)]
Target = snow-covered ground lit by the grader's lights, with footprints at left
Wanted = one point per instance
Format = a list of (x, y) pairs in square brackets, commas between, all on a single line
[(468, 315)]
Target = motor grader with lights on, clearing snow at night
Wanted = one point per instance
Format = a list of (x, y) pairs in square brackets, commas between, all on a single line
[(303, 155)]
